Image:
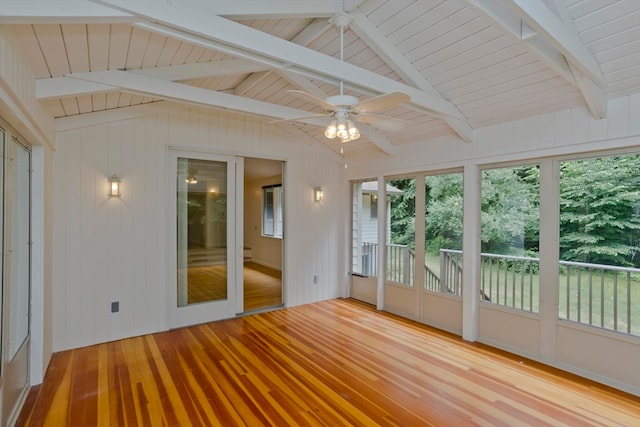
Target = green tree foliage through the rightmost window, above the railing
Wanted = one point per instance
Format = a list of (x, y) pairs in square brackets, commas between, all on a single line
[(600, 210)]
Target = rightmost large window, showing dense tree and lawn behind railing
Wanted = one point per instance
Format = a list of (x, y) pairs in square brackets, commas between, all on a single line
[(599, 242)]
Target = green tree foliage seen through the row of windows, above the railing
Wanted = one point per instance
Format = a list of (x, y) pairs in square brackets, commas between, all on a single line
[(599, 211)]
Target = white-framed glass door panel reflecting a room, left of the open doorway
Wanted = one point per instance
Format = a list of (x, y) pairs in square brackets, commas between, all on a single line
[(204, 262)]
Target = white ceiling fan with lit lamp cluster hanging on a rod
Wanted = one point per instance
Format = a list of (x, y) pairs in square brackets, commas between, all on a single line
[(347, 109)]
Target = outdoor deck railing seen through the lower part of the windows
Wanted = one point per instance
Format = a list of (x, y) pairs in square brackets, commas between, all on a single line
[(602, 296)]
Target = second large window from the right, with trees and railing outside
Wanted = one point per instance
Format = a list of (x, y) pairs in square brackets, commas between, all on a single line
[(510, 237)]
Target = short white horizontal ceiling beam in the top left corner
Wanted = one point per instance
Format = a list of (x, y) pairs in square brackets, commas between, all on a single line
[(59, 12)]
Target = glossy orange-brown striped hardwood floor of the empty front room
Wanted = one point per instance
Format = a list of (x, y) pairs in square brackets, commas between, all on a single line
[(332, 363)]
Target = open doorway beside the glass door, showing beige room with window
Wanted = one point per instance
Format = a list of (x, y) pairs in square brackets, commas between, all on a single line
[(263, 234)]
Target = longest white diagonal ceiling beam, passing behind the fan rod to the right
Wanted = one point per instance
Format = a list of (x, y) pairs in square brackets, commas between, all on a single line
[(230, 37)]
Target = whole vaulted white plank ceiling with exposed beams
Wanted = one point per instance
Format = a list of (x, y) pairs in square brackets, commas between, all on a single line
[(464, 63)]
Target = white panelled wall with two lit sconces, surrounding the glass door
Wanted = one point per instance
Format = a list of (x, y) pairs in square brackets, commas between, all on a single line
[(114, 249)]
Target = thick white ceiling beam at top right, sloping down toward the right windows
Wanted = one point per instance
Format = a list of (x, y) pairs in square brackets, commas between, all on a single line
[(541, 32)]
